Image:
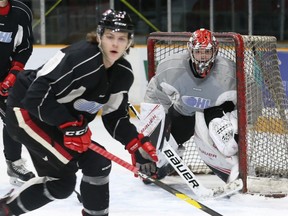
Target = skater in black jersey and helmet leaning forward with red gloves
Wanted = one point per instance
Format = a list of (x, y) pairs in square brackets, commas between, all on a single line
[(50, 109)]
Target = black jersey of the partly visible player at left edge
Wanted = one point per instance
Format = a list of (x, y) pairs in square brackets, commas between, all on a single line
[(16, 38)]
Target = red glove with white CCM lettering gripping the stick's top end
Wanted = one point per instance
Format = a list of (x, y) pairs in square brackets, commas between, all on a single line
[(77, 135)]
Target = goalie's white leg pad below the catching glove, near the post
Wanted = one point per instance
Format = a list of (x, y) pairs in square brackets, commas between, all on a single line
[(209, 152)]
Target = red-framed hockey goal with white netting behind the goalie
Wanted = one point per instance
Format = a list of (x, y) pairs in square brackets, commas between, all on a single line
[(261, 104)]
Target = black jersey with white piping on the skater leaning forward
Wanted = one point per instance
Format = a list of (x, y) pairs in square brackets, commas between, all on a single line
[(76, 82)]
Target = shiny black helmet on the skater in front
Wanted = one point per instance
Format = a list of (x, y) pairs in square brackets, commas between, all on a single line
[(118, 21)]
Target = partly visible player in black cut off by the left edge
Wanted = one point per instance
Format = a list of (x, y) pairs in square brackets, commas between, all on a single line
[(16, 41)]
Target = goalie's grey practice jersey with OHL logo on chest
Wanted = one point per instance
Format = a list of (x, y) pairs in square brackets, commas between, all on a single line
[(174, 84)]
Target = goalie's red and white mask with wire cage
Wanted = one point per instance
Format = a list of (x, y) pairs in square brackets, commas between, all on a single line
[(203, 48)]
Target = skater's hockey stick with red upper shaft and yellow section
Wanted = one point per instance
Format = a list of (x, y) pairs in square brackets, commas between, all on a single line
[(160, 184)]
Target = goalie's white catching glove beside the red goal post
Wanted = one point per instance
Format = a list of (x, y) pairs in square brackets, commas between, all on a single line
[(222, 131)]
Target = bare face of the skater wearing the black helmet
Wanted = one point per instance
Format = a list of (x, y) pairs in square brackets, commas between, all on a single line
[(113, 44)]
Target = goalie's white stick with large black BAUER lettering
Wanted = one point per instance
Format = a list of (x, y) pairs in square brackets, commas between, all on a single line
[(182, 169)]
